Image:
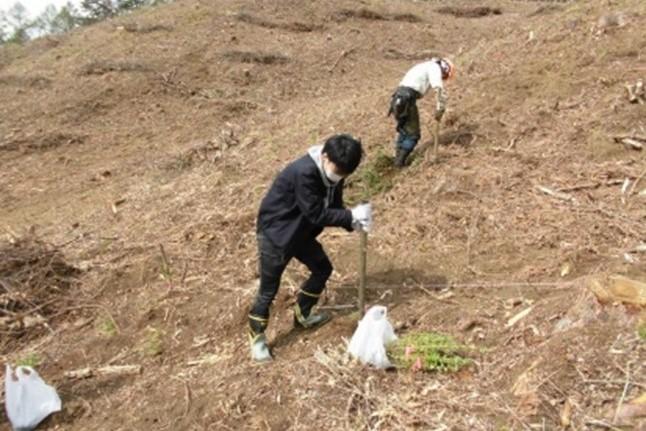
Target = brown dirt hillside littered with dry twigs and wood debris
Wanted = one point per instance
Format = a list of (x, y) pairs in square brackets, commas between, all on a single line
[(134, 154)]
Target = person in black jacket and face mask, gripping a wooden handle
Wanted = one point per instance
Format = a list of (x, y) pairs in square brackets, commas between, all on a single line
[(305, 197)]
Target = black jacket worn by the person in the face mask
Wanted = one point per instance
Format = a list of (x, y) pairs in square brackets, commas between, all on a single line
[(299, 205)]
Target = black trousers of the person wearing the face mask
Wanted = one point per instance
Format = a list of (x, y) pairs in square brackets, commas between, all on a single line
[(272, 264)]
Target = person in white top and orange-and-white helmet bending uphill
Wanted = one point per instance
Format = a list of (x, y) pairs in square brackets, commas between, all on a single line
[(403, 105)]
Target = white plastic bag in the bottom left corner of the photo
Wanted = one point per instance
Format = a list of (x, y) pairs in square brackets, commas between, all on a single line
[(28, 399)]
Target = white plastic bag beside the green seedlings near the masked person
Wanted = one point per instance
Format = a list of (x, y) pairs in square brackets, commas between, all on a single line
[(368, 343)]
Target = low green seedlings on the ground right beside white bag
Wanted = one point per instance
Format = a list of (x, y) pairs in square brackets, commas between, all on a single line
[(429, 351)]
